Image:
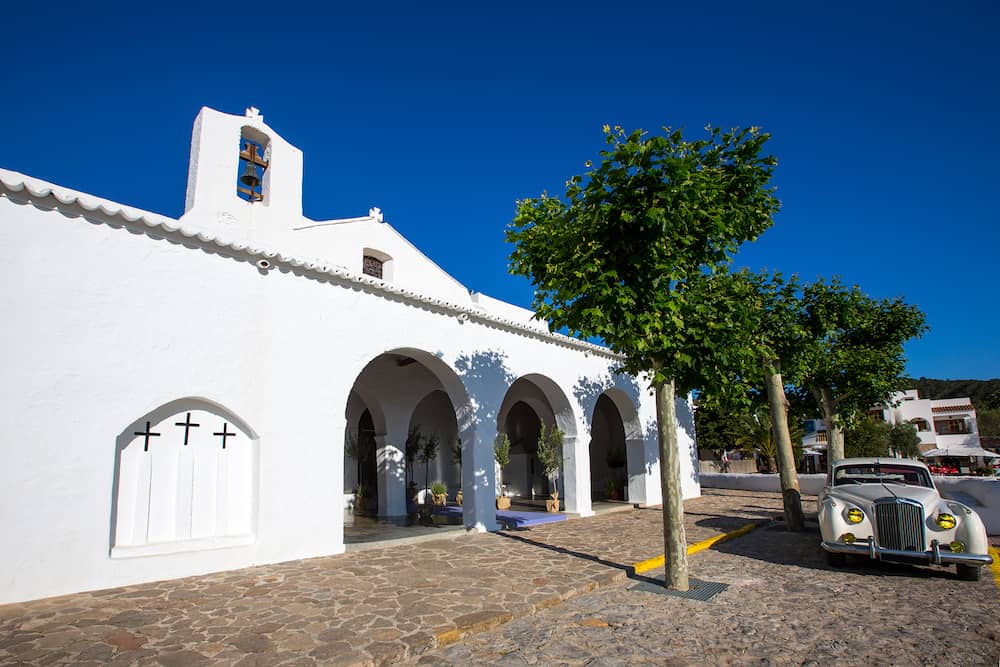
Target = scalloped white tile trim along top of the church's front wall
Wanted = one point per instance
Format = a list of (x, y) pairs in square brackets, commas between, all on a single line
[(14, 183)]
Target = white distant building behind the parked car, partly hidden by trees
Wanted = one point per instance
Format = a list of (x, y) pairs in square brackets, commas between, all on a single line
[(941, 424)]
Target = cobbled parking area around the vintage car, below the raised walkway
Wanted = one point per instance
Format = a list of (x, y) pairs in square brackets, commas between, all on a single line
[(783, 606)]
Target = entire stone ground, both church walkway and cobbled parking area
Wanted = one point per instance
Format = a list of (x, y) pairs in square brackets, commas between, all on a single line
[(409, 603)]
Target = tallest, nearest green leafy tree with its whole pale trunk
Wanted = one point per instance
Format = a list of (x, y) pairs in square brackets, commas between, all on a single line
[(627, 256)]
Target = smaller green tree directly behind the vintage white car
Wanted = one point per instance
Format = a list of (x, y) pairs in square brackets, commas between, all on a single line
[(852, 358)]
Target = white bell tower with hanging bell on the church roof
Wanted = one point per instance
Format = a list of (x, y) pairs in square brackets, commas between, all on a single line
[(244, 180)]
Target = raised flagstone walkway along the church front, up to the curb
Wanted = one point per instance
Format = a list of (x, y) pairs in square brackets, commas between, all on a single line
[(380, 606)]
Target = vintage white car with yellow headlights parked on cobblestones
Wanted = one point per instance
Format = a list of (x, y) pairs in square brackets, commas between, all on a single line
[(889, 509)]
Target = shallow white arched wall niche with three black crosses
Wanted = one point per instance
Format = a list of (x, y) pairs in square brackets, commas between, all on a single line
[(185, 480)]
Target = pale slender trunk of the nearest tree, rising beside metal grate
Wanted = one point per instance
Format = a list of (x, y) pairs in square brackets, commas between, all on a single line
[(674, 543)]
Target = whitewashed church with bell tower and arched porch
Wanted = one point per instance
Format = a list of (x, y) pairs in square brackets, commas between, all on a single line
[(178, 393)]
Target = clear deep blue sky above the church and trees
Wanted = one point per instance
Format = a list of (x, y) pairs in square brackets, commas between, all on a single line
[(884, 120)]
